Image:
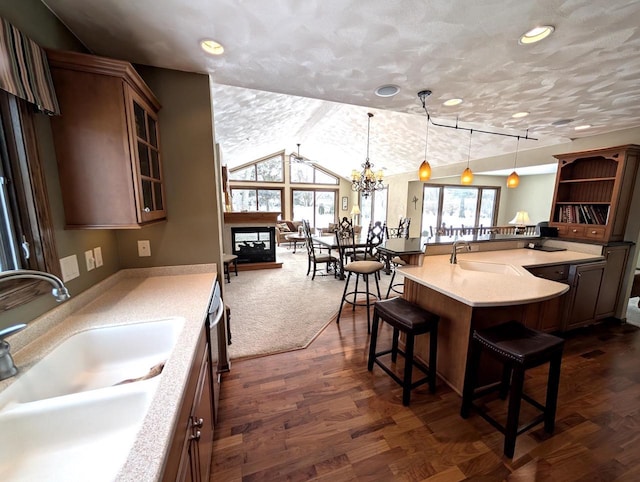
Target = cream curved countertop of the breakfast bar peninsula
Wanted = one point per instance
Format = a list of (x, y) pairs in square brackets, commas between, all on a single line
[(477, 287)]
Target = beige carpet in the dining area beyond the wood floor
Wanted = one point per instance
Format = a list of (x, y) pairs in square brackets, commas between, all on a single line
[(276, 310)]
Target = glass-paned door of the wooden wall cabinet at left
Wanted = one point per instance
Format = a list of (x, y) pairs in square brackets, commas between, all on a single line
[(151, 194)]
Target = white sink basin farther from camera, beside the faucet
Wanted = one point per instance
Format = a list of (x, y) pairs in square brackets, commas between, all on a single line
[(96, 358)]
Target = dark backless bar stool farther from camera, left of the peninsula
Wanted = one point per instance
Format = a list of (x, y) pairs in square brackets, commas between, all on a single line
[(411, 320)]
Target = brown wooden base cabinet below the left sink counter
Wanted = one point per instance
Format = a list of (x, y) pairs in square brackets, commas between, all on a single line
[(191, 449)]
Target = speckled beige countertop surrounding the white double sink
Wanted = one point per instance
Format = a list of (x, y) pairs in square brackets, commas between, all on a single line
[(129, 296)]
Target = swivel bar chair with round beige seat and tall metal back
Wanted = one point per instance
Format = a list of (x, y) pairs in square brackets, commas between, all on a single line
[(346, 245)]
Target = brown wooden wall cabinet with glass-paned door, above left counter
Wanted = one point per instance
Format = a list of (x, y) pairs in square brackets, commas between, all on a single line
[(106, 142)]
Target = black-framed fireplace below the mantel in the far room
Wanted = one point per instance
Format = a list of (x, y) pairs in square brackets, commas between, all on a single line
[(254, 244)]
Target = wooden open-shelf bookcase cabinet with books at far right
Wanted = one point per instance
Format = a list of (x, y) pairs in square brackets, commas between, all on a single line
[(593, 193)]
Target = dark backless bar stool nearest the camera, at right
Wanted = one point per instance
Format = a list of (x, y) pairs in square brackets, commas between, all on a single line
[(517, 348)]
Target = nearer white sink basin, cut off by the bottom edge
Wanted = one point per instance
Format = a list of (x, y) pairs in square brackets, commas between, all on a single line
[(77, 438)]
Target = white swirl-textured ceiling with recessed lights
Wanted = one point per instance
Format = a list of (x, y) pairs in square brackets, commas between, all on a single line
[(305, 71)]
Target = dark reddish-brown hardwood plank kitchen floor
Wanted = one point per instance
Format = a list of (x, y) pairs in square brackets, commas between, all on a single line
[(318, 414)]
